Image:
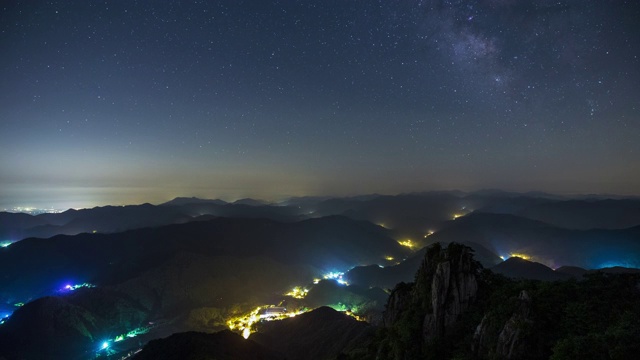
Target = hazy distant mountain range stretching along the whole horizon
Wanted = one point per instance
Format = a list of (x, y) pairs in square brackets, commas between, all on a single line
[(410, 215)]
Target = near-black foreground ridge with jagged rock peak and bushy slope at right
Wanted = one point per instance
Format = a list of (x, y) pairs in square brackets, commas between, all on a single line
[(454, 310)]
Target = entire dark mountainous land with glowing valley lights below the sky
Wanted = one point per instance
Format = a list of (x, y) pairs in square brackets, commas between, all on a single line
[(448, 275)]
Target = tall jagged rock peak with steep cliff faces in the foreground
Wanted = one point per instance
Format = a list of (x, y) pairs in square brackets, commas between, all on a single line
[(420, 313)]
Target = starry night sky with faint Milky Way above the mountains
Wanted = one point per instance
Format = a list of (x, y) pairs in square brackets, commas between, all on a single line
[(120, 102)]
